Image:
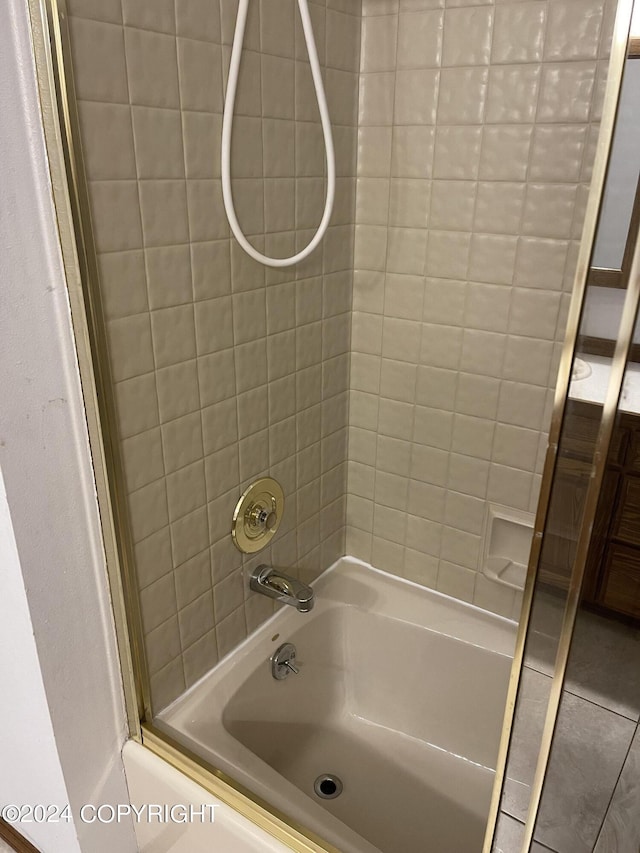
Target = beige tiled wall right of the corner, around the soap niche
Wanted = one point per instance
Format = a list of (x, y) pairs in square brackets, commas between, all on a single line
[(477, 130)]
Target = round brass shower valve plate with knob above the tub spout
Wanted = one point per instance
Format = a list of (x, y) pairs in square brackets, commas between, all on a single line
[(257, 515)]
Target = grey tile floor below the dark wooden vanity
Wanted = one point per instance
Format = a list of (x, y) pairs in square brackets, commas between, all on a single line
[(591, 801)]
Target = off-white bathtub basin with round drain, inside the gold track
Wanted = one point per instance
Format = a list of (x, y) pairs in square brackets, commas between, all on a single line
[(400, 693)]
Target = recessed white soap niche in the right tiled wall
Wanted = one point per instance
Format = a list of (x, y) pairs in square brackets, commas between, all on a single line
[(506, 545)]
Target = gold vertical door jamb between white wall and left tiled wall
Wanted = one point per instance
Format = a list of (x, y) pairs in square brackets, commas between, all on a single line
[(50, 24)]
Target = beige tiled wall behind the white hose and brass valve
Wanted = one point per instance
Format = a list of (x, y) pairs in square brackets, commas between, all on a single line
[(224, 371)]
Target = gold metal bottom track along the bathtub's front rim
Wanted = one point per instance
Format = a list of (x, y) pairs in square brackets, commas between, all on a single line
[(239, 798)]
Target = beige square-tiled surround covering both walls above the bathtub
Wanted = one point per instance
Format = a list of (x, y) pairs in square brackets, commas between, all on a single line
[(395, 382)]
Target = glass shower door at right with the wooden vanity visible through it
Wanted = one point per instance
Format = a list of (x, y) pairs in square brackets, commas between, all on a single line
[(572, 773)]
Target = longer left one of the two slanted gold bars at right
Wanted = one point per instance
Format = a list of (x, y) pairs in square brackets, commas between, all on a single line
[(616, 68)]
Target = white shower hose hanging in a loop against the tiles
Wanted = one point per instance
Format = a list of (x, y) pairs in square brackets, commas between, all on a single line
[(227, 130)]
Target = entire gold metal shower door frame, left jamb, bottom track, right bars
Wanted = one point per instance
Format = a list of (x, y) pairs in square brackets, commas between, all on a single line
[(51, 47)]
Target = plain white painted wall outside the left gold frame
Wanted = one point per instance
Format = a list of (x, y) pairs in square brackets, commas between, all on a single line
[(62, 717)]
